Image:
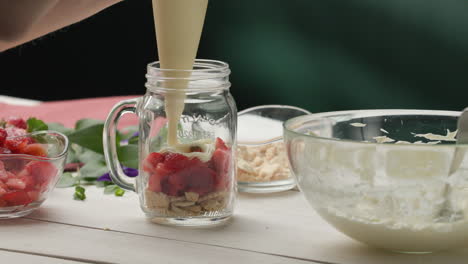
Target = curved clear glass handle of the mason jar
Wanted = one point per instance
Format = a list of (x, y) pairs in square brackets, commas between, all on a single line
[(109, 141)]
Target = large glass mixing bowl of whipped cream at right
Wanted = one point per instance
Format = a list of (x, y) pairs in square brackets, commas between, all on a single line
[(392, 179)]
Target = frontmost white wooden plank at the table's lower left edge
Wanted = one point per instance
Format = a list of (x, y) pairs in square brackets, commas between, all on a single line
[(100, 246)]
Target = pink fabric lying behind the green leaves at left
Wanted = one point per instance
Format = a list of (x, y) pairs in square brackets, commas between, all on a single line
[(70, 111)]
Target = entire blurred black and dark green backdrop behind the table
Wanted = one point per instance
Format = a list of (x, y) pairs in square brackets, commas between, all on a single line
[(322, 55)]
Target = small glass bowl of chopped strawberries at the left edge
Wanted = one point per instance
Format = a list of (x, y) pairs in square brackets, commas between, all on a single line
[(30, 166)]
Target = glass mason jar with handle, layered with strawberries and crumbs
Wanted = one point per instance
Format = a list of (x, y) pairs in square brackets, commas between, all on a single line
[(187, 143)]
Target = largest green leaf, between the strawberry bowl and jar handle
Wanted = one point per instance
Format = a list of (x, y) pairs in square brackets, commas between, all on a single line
[(89, 137)]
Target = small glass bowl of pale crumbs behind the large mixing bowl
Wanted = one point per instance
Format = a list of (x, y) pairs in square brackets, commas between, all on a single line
[(262, 164)]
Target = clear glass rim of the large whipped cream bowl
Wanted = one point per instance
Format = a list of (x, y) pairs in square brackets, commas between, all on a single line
[(371, 113)]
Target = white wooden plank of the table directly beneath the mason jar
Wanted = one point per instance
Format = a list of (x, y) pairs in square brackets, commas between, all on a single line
[(280, 224)]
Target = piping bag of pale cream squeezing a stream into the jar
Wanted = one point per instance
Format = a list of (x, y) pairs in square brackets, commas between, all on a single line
[(179, 24)]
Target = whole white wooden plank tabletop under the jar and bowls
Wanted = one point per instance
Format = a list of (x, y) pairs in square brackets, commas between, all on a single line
[(272, 228)]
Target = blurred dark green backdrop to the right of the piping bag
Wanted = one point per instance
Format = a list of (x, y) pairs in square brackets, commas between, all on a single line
[(353, 54)]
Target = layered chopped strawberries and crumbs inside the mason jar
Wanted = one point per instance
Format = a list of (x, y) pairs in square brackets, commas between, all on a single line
[(194, 182)]
